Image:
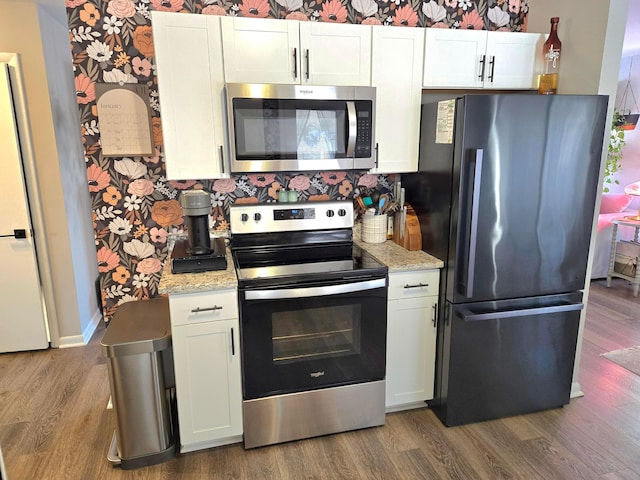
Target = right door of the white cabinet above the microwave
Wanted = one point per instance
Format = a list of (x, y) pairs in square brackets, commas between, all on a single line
[(335, 54)]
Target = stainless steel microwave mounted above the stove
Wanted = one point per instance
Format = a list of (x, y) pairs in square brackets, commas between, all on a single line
[(276, 128)]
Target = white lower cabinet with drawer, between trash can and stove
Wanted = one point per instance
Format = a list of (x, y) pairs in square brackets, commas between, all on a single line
[(206, 353)]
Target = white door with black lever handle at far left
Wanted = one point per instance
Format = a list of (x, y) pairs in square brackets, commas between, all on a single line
[(22, 321)]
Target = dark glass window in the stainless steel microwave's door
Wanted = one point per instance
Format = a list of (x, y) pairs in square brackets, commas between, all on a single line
[(289, 129)]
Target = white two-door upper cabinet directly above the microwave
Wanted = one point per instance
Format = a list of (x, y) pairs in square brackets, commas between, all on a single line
[(291, 52)]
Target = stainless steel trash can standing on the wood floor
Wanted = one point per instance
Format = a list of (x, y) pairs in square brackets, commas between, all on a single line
[(137, 344)]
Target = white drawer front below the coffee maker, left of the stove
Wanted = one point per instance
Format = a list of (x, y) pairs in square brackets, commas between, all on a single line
[(203, 307)]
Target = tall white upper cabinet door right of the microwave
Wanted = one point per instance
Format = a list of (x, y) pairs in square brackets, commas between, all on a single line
[(396, 73)]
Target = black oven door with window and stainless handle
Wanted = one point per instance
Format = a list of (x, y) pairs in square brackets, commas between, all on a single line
[(310, 337)]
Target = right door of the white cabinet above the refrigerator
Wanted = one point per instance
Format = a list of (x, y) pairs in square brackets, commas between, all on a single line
[(514, 56)]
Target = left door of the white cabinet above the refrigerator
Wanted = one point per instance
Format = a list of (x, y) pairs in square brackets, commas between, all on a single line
[(454, 58)]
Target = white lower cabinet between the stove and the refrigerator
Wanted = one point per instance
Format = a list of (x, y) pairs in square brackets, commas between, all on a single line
[(411, 338)]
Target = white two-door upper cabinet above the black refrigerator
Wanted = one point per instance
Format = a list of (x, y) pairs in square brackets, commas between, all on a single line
[(480, 59)]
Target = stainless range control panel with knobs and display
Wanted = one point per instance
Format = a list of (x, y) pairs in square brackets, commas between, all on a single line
[(288, 217)]
